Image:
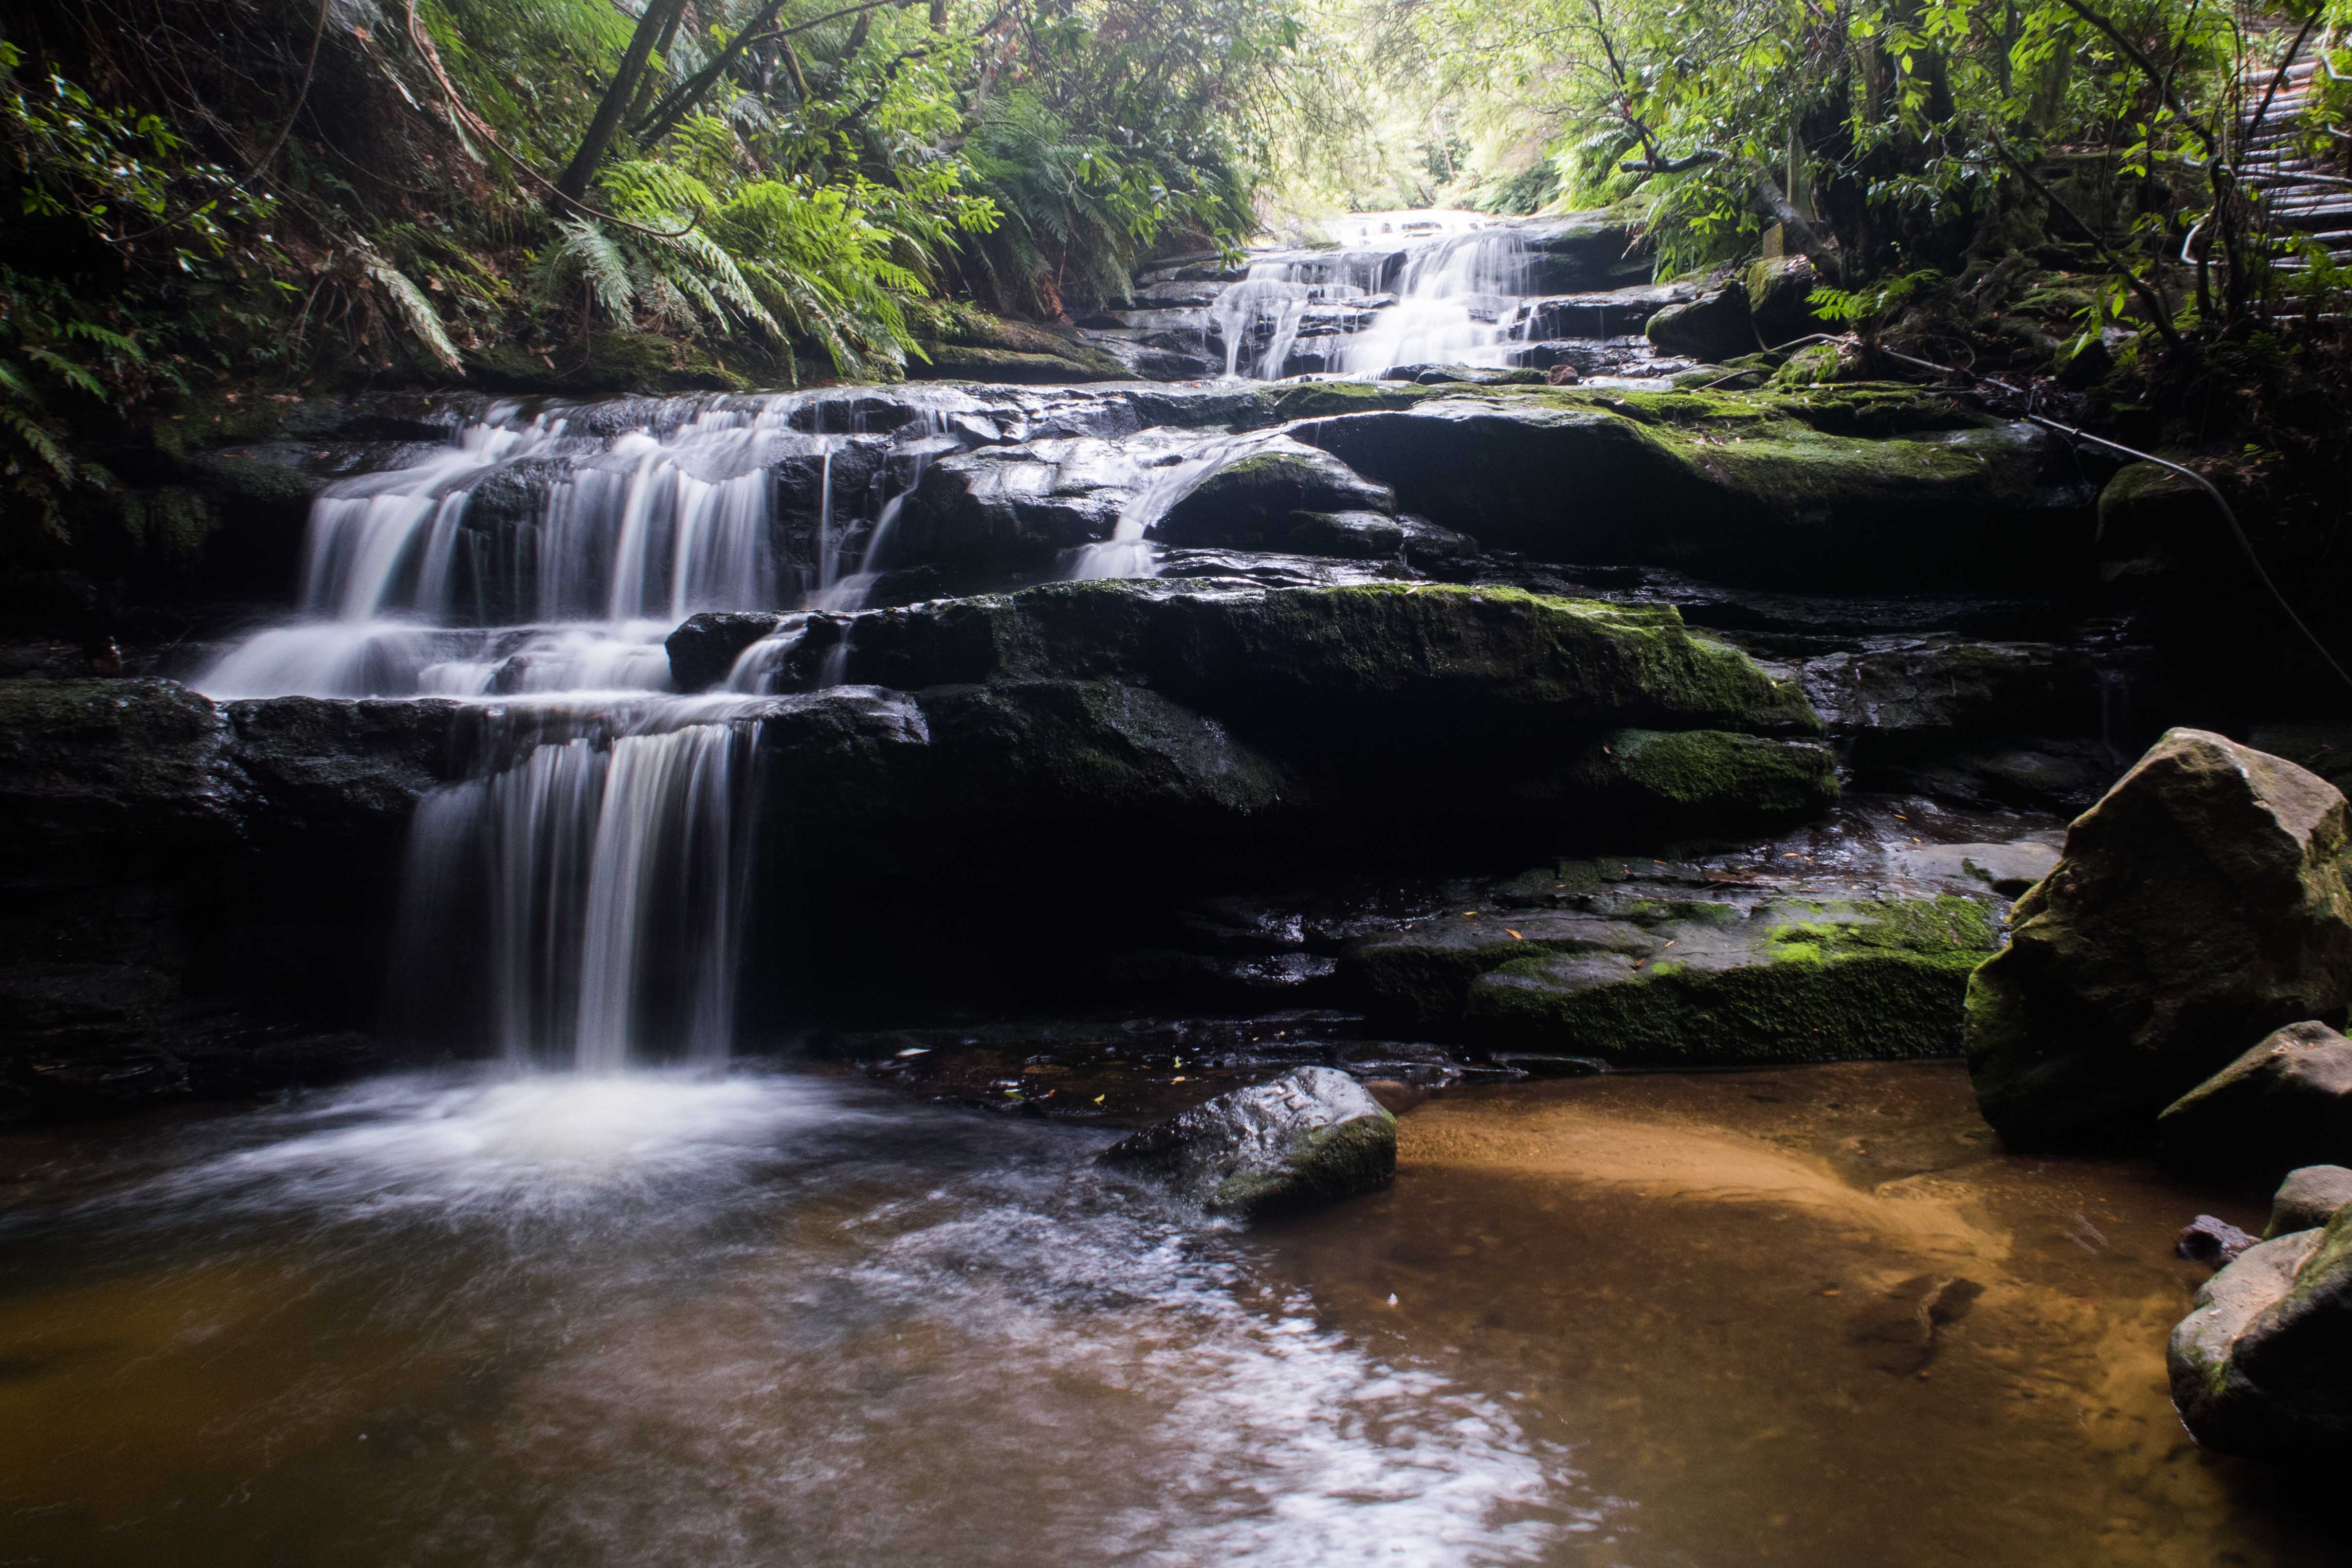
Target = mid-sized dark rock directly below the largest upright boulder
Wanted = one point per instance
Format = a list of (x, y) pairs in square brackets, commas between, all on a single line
[(2287, 1104)]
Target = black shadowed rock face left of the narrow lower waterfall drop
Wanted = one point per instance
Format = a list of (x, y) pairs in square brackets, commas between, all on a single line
[(168, 857)]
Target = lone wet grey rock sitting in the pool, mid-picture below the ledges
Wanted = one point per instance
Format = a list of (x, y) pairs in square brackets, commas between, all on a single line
[(1309, 1137)]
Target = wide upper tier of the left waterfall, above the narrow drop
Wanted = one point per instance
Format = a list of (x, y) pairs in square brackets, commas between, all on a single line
[(542, 554)]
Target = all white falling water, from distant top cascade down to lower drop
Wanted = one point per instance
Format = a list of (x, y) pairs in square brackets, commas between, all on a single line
[(535, 563)]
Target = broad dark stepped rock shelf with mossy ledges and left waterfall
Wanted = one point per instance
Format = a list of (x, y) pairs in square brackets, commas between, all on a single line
[(871, 688)]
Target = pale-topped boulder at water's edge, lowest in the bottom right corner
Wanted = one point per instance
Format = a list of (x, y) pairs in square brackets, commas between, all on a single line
[(2264, 1365)]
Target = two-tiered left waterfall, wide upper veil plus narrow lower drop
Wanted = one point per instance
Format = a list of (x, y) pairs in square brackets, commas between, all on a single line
[(589, 880)]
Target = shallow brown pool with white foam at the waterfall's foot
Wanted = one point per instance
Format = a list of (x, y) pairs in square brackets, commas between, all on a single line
[(1678, 1322)]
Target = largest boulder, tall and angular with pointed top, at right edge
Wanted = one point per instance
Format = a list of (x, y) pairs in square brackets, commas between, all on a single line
[(2198, 906)]
